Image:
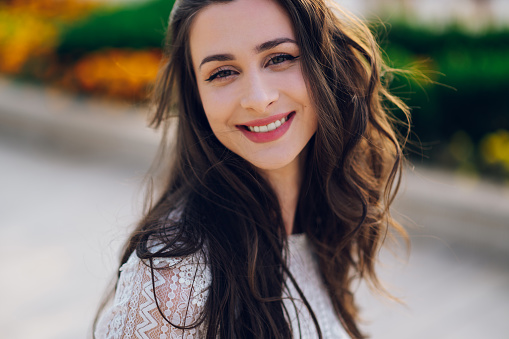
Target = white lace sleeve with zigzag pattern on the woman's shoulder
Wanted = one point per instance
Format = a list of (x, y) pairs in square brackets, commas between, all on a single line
[(181, 288)]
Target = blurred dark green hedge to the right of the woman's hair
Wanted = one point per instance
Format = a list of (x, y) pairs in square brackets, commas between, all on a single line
[(467, 98)]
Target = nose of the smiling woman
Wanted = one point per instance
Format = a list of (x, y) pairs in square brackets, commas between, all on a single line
[(258, 93)]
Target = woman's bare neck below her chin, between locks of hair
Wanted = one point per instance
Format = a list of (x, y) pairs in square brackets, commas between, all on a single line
[(286, 182)]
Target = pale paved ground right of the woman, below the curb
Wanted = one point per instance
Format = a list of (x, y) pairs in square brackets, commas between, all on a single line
[(451, 291)]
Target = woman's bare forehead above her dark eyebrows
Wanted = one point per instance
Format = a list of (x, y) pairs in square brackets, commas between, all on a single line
[(221, 27)]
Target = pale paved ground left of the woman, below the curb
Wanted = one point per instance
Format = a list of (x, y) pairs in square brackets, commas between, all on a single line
[(61, 221)]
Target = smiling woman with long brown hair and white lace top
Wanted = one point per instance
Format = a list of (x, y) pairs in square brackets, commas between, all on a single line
[(280, 183)]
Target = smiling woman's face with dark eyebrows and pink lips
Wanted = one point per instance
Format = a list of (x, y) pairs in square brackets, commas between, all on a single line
[(248, 69)]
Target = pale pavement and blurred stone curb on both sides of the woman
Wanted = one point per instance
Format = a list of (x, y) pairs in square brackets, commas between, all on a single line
[(69, 195)]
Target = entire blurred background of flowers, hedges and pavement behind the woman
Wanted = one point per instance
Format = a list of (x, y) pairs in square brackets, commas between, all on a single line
[(74, 81)]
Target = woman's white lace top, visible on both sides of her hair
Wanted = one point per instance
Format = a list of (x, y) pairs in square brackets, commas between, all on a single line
[(182, 291)]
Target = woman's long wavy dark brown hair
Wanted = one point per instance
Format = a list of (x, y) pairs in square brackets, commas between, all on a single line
[(231, 214)]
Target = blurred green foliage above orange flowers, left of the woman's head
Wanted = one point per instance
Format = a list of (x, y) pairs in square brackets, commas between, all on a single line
[(136, 26)]
